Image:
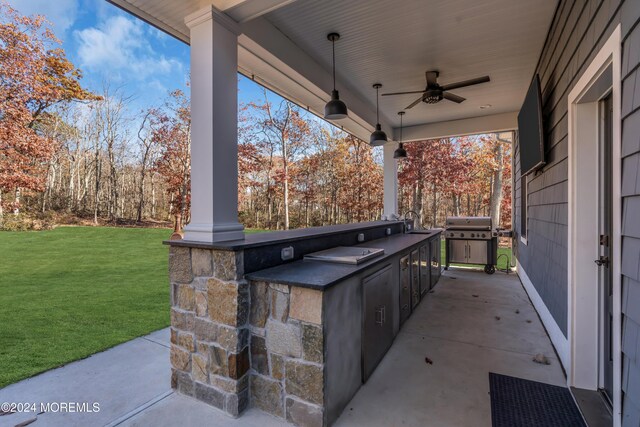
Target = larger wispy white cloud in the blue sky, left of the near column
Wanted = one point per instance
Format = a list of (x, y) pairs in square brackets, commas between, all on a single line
[(119, 45)]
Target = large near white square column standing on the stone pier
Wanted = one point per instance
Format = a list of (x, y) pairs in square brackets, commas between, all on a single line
[(214, 127)]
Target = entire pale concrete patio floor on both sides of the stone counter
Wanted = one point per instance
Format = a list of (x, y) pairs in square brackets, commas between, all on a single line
[(470, 325)]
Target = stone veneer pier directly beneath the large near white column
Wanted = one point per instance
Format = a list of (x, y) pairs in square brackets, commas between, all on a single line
[(209, 331)]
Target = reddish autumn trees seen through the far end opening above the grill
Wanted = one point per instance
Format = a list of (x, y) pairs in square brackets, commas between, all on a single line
[(463, 176)]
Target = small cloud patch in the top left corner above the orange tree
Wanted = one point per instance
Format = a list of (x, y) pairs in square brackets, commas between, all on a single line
[(61, 13)]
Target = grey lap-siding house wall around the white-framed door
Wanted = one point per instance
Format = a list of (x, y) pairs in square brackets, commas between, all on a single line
[(578, 31)]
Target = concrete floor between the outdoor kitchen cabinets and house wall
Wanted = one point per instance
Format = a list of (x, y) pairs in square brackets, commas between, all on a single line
[(457, 328)]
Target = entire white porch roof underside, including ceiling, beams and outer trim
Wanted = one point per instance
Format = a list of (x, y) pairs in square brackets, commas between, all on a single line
[(283, 47)]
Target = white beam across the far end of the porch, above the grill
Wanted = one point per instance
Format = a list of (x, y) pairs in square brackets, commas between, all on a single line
[(472, 126)]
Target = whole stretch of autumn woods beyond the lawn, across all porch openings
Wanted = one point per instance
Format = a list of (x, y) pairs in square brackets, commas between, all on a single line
[(68, 152)]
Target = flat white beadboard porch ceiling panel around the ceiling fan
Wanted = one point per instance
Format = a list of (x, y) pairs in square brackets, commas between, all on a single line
[(395, 42)]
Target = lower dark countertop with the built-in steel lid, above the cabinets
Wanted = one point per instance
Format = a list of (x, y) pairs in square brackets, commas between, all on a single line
[(322, 275)]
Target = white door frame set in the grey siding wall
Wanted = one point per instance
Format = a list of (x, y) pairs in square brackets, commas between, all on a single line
[(602, 76)]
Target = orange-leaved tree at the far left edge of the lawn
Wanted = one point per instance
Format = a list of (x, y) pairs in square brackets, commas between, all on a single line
[(35, 75)]
